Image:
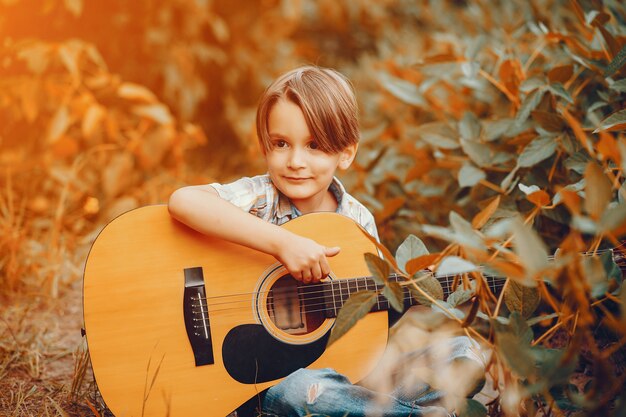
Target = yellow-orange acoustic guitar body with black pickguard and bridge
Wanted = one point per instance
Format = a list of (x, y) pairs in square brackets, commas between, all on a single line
[(180, 324)]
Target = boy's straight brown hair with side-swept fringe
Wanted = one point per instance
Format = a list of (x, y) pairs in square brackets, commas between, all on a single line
[(327, 101)]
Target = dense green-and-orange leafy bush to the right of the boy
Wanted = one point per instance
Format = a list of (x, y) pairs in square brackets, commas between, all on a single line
[(518, 128)]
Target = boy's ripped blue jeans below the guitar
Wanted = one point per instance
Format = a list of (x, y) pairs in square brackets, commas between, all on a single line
[(324, 392)]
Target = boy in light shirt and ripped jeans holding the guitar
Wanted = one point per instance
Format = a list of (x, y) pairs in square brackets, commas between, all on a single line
[(307, 127)]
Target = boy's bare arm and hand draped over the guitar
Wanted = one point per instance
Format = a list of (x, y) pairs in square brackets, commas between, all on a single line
[(202, 209)]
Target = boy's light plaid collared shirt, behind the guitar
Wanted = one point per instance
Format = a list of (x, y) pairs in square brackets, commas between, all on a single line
[(259, 196)]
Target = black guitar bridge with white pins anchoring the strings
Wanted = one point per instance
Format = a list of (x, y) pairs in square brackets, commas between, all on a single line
[(196, 314)]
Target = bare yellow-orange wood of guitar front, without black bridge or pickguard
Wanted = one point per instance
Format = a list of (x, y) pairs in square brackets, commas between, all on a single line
[(133, 309)]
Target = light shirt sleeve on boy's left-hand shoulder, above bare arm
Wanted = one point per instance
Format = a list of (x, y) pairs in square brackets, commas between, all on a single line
[(246, 193)]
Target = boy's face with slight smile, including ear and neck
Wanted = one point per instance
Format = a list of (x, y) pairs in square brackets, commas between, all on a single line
[(297, 168)]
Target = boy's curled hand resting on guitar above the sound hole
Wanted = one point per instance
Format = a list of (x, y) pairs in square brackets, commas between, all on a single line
[(305, 259)]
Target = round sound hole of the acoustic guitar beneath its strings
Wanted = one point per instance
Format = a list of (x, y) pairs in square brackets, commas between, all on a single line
[(294, 307)]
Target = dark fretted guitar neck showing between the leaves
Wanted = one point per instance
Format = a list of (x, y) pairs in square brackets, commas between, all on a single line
[(336, 293)]
